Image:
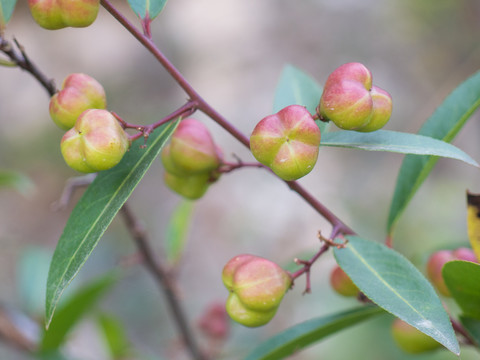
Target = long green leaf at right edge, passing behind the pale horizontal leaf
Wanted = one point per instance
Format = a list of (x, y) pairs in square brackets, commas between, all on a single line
[(444, 124)]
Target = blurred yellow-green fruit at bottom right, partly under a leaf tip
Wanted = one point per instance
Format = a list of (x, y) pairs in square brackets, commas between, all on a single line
[(412, 340)]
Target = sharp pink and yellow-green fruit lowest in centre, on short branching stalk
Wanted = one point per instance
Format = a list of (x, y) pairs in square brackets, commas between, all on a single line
[(256, 286)]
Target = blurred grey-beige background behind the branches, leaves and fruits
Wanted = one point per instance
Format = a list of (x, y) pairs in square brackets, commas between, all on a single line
[(233, 53)]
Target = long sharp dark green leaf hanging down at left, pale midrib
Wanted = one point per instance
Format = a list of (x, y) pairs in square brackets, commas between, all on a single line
[(95, 211)]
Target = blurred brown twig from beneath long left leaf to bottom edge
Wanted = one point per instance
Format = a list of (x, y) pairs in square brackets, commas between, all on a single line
[(164, 281)]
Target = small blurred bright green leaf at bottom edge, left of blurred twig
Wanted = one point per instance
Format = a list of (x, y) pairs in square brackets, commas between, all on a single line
[(115, 336)]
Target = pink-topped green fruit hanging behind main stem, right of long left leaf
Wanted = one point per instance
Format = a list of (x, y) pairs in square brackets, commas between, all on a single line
[(191, 159)]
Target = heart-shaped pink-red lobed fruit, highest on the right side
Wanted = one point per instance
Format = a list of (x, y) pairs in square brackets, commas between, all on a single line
[(350, 101)]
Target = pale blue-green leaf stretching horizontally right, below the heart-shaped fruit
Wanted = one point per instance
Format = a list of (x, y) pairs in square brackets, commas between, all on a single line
[(385, 140)]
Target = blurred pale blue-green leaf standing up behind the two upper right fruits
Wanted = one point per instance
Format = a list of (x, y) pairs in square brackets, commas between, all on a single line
[(295, 87)]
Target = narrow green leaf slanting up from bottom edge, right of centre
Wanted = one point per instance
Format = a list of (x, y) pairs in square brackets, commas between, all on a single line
[(302, 335)]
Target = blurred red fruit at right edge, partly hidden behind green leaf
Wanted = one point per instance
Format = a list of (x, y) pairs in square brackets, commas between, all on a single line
[(438, 259)]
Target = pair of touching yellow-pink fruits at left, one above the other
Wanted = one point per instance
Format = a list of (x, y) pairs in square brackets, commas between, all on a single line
[(95, 140)]
